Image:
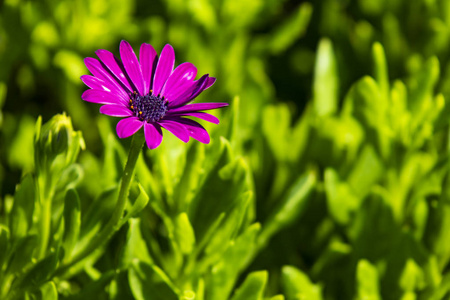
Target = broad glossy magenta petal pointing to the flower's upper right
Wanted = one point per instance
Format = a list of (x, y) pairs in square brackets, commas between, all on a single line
[(180, 80)]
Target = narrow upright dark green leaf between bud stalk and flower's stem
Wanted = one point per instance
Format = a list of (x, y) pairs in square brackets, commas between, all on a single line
[(72, 222)]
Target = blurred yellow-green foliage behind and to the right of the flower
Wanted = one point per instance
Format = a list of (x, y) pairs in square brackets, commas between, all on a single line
[(338, 107)]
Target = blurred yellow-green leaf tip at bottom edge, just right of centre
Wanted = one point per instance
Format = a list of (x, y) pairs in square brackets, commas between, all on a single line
[(297, 285)]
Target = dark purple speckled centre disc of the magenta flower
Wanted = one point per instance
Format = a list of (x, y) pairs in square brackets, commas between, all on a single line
[(150, 108)]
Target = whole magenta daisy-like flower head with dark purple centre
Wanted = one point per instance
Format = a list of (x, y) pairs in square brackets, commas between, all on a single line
[(149, 93)]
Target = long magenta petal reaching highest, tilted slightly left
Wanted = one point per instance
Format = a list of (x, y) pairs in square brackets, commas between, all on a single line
[(132, 66)]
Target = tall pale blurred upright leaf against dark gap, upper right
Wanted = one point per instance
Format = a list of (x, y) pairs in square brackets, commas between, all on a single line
[(326, 81)]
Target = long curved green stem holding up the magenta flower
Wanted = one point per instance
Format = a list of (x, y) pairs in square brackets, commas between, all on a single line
[(114, 223)]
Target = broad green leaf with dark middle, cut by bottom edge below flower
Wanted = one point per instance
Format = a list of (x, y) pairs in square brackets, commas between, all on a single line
[(150, 282)]
